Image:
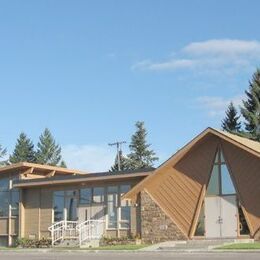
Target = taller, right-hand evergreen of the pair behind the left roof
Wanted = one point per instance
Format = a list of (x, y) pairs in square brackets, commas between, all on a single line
[(48, 152)]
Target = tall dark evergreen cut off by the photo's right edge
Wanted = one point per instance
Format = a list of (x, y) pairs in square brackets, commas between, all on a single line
[(251, 107)]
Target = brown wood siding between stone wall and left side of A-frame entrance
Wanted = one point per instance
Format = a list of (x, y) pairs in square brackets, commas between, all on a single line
[(179, 189)]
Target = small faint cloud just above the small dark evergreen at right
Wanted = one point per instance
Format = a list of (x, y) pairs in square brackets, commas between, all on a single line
[(216, 106)]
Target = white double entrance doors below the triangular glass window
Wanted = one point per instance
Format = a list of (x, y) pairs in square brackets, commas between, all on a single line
[(221, 217)]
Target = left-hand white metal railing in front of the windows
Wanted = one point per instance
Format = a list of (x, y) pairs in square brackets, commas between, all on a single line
[(63, 229)]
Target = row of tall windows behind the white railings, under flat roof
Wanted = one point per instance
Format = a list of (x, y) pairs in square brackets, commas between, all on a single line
[(67, 203)]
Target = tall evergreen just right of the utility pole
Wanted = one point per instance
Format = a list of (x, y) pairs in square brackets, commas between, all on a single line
[(140, 155)]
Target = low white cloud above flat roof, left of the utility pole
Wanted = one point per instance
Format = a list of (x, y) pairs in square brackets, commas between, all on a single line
[(89, 158)]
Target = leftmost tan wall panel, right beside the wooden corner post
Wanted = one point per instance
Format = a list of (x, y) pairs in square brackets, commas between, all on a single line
[(31, 212)]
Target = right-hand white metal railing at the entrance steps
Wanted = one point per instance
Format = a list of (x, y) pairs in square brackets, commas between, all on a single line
[(90, 230)]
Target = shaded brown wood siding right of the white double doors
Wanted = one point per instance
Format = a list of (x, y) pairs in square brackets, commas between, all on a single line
[(245, 169)]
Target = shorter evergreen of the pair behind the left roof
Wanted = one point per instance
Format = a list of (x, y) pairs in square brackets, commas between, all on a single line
[(23, 151)]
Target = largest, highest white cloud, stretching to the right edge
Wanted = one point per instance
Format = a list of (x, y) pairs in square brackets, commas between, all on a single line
[(208, 55)]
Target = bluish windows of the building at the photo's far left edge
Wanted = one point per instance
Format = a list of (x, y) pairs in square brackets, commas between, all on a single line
[(8, 196)]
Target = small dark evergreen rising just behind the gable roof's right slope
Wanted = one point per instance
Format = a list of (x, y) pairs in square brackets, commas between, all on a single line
[(231, 122)]
